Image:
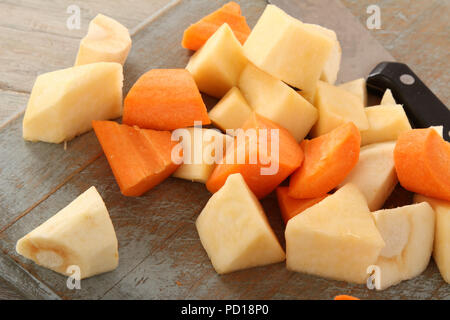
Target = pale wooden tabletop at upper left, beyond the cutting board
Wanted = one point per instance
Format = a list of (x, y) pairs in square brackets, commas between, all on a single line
[(35, 38)]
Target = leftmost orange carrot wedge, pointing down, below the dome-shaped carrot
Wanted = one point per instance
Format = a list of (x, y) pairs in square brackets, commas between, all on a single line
[(139, 158)]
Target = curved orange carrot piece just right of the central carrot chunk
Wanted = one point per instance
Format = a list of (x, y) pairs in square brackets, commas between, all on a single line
[(328, 160)]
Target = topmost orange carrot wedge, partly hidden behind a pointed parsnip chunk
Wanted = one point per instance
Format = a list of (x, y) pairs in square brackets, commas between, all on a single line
[(198, 33)]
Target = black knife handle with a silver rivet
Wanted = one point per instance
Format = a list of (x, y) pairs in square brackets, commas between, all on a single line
[(422, 107)]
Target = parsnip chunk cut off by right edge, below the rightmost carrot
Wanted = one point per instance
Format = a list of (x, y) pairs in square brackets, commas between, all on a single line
[(441, 249)]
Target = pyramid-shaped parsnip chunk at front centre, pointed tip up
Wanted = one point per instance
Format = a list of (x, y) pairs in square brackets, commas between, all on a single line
[(234, 229)]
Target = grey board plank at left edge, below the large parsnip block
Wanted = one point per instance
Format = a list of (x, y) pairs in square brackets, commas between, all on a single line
[(31, 171)]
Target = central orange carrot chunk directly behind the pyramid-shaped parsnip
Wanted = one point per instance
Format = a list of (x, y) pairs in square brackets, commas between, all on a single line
[(290, 158)]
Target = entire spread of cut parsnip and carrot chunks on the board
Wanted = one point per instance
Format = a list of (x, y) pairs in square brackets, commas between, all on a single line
[(332, 160)]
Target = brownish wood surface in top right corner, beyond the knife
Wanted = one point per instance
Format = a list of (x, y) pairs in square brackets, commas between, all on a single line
[(416, 33)]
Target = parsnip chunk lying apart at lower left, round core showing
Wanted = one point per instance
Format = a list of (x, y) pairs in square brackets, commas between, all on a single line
[(81, 235)]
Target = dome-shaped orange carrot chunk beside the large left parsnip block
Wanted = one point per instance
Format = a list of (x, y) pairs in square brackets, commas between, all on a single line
[(164, 99)]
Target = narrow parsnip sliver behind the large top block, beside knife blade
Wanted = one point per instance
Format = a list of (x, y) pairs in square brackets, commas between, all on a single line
[(332, 65)]
